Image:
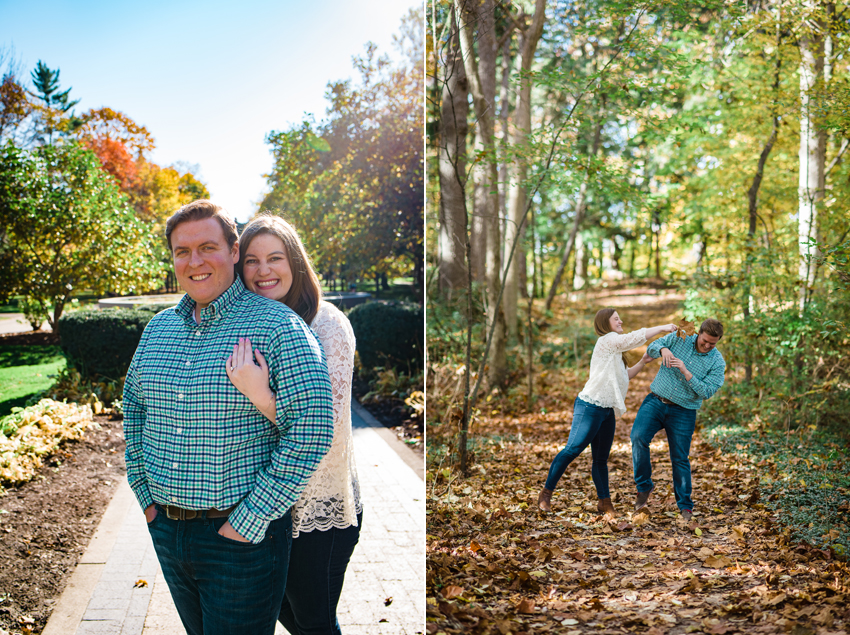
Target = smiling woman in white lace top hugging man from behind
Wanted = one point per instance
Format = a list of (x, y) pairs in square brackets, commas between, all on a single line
[(326, 518)]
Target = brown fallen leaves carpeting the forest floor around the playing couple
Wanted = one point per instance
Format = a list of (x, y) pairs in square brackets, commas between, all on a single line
[(496, 565)]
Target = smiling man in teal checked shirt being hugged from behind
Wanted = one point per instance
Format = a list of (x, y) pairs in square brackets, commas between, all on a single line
[(213, 475)]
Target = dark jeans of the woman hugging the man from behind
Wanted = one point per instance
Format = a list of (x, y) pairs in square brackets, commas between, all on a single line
[(317, 564)]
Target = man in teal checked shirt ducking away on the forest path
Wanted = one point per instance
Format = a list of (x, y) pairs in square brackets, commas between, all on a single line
[(692, 370)]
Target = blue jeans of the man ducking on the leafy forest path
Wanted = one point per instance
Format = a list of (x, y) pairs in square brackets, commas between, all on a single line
[(679, 423)]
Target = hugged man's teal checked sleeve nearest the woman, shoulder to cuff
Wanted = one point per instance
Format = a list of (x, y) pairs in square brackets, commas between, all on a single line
[(304, 417)]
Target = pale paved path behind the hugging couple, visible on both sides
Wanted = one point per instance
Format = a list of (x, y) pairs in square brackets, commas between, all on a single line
[(388, 562)]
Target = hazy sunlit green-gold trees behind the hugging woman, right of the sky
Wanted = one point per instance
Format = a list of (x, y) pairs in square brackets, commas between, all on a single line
[(353, 184)]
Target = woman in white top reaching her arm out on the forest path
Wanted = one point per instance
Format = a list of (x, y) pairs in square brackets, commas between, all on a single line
[(599, 403)]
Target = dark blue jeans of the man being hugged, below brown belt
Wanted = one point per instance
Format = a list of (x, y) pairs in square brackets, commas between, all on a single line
[(221, 586)]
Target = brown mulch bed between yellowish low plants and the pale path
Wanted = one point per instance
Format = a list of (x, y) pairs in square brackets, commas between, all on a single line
[(47, 523)]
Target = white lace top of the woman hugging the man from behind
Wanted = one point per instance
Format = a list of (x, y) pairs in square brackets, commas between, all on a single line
[(332, 496)]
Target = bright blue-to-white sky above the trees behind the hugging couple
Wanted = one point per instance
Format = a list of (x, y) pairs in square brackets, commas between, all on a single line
[(208, 79)]
